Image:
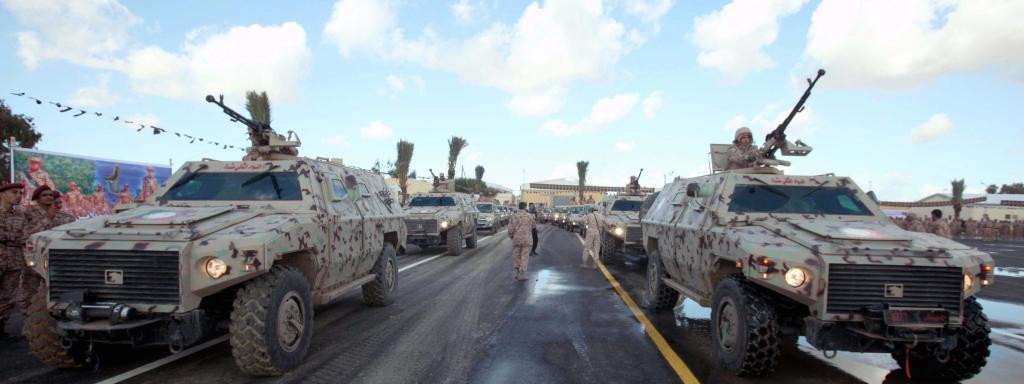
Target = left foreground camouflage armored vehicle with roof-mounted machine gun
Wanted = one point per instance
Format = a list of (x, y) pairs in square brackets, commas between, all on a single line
[(247, 247)]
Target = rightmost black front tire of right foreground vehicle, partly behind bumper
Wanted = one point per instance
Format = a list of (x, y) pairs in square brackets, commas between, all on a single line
[(964, 362)]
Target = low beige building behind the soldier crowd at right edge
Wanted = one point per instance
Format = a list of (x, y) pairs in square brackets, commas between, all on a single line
[(978, 207)]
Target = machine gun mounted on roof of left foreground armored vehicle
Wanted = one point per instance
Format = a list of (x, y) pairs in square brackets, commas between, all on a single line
[(267, 144)]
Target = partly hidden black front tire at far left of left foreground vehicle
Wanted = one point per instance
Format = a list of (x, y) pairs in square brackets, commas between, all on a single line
[(45, 343)]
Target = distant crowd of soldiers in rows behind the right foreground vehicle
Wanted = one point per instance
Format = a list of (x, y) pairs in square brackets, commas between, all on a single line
[(953, 229)]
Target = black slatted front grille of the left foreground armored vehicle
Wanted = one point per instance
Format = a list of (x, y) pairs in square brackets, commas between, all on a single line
[(147, 277)]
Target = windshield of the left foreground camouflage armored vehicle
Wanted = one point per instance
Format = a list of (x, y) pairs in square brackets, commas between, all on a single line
[(238, 187)]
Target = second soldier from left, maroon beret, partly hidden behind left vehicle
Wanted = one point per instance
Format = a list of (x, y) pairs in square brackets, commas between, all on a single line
[(45, 216)]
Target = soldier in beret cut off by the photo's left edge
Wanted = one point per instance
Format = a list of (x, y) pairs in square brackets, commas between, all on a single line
[(13, 234)]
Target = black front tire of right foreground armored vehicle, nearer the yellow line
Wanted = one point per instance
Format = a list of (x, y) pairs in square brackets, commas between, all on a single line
[(755, 349)]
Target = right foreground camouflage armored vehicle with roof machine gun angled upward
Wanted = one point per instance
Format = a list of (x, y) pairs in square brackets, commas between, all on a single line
[(779, 257)]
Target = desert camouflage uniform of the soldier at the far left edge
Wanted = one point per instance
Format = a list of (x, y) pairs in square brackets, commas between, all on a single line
[(13, 234)]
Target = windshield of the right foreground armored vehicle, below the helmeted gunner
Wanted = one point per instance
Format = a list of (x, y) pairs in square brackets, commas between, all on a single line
[(800, 200)]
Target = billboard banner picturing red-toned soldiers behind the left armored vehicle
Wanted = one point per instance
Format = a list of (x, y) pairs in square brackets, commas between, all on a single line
[(89, 187)]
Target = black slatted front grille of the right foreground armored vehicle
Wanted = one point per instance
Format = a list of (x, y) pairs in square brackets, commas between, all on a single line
[(852, 287)]
